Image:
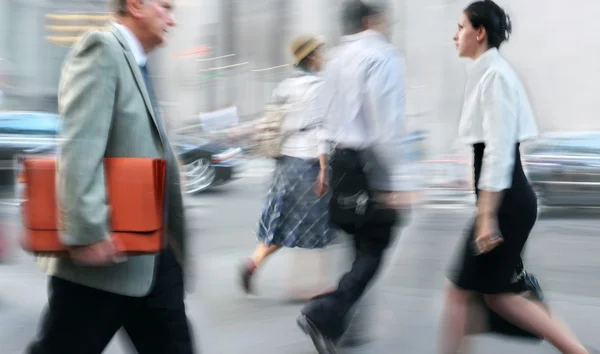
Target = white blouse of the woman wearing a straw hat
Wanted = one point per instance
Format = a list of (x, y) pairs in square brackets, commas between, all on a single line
[(304, 121)]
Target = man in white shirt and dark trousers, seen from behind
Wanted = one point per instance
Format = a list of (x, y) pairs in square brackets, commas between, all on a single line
[(366, 99)]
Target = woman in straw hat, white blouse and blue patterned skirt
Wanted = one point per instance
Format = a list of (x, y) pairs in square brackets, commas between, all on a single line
[(295, 213)]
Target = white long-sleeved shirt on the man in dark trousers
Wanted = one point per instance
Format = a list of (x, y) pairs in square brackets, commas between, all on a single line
[(365, 93)]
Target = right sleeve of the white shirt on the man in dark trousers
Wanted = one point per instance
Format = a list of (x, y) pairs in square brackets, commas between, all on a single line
[(385, 107)]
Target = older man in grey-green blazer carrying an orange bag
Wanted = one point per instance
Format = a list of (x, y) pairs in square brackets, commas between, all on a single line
[(109, 110)]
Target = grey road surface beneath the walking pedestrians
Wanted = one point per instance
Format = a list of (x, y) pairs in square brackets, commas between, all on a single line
[(563, 253)]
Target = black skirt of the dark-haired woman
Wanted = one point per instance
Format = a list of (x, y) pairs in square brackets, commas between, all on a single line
[(495, 271)]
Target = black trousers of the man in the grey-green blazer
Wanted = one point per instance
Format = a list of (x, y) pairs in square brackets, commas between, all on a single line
[(81, 320)]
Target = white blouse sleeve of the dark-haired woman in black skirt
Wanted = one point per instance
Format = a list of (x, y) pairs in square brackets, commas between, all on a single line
[(499, 126)]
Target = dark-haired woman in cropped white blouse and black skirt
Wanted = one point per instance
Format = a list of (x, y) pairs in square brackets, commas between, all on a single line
[(496, 117)]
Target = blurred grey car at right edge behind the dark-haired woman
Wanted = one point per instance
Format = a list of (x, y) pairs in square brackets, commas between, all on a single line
[(564, 169)]
